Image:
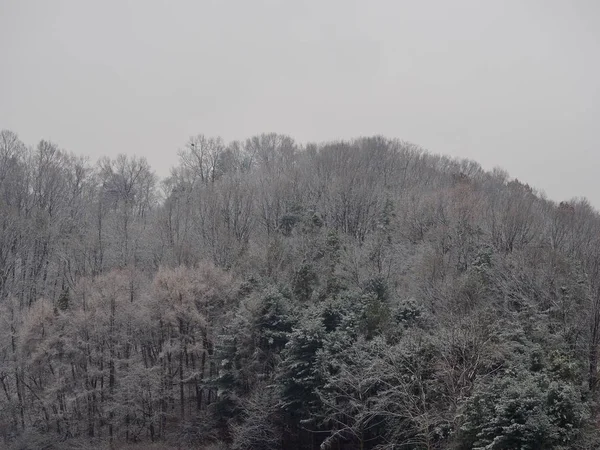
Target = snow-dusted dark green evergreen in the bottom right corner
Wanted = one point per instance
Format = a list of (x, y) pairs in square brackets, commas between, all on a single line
[(534, 401)]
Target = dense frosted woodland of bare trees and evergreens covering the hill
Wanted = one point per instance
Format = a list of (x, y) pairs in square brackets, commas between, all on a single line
[(357, 294)]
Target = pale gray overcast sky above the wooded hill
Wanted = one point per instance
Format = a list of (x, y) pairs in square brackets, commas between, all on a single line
[(510, 83)]
